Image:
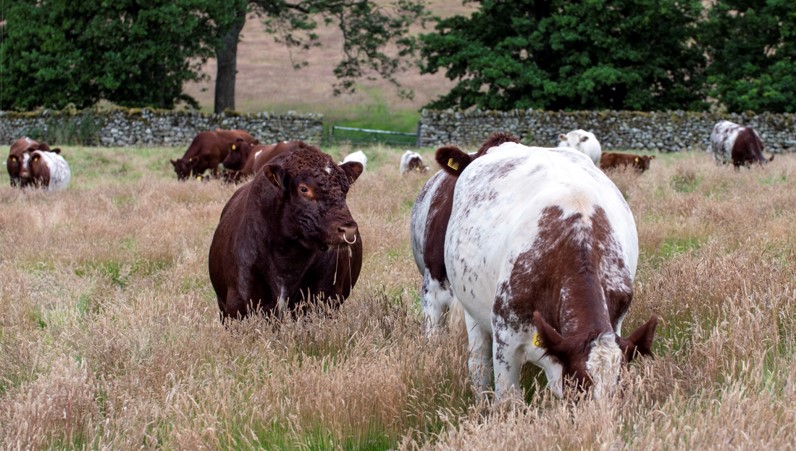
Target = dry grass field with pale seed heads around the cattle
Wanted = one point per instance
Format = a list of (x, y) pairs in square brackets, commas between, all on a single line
[(110, 338)]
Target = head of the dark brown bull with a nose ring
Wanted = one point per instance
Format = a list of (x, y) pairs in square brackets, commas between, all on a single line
[(313, 189)]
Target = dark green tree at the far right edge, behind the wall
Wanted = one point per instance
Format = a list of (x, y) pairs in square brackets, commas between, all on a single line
[(752, 48)]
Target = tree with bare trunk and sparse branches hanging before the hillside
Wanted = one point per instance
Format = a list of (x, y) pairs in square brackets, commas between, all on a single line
[(368, 28)]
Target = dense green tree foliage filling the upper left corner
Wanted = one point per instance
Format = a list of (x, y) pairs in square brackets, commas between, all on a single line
[(81, 52)]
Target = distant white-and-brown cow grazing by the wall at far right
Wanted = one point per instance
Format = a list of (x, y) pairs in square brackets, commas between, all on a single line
[(735, 143)]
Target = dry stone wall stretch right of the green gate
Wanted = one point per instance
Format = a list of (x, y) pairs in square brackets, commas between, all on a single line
[(616, 130)]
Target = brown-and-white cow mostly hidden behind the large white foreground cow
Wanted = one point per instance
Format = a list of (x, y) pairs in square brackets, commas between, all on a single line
[(428, 224)]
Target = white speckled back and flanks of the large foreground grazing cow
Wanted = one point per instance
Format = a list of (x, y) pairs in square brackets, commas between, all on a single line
[(498, 204)]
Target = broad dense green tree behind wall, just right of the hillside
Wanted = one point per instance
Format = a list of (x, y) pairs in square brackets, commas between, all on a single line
[(569, 55)]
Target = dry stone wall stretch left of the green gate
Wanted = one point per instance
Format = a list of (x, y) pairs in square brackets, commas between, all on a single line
[(144, 127)]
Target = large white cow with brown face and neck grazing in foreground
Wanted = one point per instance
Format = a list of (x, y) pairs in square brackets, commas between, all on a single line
[(541, 251)]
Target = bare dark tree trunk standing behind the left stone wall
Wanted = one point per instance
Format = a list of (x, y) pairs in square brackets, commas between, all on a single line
[(227, 60)]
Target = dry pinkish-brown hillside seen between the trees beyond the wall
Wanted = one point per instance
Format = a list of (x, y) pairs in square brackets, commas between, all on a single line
[(267, 82)]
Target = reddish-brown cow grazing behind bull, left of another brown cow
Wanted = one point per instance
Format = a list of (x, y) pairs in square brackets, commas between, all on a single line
[(206, 151)]
